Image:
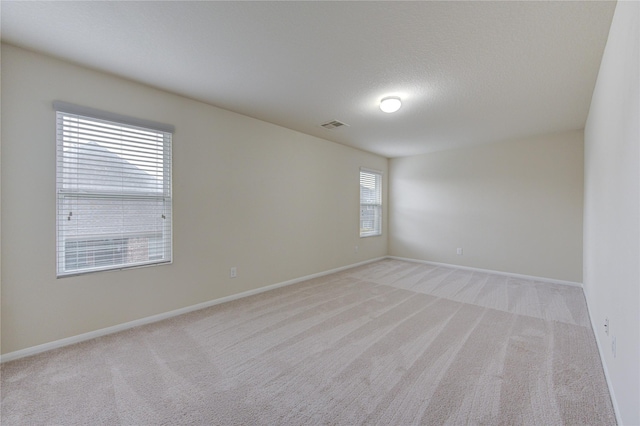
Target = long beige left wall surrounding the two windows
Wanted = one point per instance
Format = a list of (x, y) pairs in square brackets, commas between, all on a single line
[(275, 203)]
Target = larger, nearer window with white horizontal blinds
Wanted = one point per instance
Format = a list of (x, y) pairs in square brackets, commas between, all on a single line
[(113, 186)]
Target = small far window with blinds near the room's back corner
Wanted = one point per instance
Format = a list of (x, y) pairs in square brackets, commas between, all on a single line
[(370, 203)]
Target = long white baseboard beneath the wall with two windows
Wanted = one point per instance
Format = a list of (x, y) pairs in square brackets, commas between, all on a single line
[(34, 350)]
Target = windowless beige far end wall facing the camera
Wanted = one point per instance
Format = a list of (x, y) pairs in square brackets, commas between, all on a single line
[(511, 206)]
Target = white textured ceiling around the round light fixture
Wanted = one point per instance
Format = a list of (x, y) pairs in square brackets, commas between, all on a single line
[(468, 72)]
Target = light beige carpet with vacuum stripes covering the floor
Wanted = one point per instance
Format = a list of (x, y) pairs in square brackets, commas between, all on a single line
[(389, 343)]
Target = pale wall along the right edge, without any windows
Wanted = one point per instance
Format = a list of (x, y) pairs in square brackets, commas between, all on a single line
[(612, 209)]
